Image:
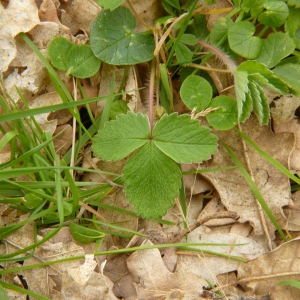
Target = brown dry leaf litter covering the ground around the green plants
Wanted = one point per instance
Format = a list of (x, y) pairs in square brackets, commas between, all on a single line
[(221, 202)]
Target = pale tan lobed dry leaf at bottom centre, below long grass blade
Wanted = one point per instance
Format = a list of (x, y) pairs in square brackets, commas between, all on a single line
[(155, 281)]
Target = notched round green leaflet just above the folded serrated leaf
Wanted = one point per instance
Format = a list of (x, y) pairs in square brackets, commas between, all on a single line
[(242, 41)]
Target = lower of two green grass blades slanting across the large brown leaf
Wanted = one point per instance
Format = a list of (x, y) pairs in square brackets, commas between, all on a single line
[(254, 189)]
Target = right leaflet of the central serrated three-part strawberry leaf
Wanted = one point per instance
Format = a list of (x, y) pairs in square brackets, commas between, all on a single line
[(183, 139)]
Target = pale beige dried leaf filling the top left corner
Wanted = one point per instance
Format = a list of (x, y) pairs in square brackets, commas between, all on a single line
[(18, 16)]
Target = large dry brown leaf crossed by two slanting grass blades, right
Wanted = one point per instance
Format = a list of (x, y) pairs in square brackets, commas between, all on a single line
[(273, 185)]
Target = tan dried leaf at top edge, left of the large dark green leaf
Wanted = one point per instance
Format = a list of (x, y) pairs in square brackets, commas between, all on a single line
[(79, 15)]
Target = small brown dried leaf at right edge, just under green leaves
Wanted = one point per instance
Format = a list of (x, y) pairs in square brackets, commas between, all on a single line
[(284, 108)]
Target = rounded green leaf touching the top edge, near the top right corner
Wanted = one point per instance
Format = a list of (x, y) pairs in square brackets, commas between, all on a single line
[(275, 15)]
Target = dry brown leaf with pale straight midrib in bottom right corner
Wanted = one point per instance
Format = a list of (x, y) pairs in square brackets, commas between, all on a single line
[(261, 275)]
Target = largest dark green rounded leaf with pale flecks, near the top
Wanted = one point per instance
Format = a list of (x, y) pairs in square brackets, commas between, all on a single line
[(113, 40)]
